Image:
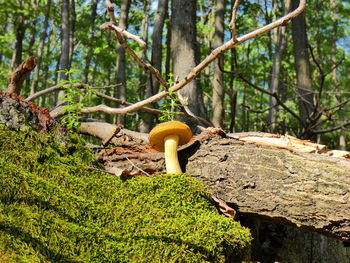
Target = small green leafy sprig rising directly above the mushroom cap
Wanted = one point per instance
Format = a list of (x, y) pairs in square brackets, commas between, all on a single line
[(170, 104)]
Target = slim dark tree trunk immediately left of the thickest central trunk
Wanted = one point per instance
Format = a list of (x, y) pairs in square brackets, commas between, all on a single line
[(156, 60)]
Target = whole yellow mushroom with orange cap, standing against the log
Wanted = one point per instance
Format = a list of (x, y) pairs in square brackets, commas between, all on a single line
[(166, 137)]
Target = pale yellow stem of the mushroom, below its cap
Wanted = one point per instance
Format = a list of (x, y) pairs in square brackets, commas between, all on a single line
[(170, 150)]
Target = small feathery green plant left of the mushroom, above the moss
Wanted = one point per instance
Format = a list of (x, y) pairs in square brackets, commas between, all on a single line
[(73, 99)]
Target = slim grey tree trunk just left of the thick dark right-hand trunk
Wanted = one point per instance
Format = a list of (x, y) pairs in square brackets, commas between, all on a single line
[(280, 44)]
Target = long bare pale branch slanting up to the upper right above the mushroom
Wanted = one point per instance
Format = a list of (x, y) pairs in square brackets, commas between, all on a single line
[(196, 70)]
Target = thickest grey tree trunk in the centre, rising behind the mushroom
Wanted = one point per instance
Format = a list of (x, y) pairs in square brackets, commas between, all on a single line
[(183, 47)]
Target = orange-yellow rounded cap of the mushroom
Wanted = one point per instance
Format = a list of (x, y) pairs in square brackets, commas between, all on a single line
[(158, 133)]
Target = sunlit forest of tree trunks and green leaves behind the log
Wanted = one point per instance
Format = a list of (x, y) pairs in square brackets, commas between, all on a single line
[(291, 80)]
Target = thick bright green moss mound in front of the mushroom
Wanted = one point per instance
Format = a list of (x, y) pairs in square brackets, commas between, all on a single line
[(53, 209)]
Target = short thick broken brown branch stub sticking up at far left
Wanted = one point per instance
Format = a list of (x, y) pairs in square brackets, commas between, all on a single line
[(17, 78)]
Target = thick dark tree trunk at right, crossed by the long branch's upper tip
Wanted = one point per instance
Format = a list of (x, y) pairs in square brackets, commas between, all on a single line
[(302, 67)]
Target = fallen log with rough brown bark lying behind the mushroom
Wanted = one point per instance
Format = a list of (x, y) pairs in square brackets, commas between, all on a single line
[(307, 190)]
